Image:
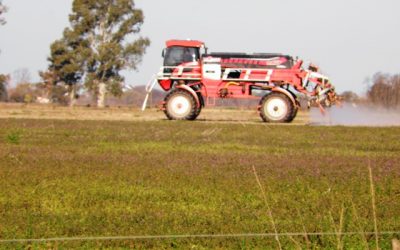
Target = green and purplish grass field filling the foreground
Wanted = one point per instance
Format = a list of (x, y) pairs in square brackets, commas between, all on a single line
[(92, 178)]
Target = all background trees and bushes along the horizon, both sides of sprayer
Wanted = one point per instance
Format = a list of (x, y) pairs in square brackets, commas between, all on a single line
[(103, 39)]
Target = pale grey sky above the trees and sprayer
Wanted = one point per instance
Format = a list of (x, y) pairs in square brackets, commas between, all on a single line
[(350, 39)]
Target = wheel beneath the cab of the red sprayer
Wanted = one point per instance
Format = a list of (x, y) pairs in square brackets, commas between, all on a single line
[(181, 105)]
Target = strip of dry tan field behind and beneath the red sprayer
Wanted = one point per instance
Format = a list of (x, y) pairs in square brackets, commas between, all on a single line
[(217, 115)]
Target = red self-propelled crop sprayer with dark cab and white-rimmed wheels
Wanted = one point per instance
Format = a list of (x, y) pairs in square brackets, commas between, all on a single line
[(195, 78)]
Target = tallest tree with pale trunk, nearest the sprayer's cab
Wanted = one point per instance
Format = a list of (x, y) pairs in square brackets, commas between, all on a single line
[(106, 29)]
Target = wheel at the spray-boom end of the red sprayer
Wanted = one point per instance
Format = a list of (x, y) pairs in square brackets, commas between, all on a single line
[(277, 108)]
